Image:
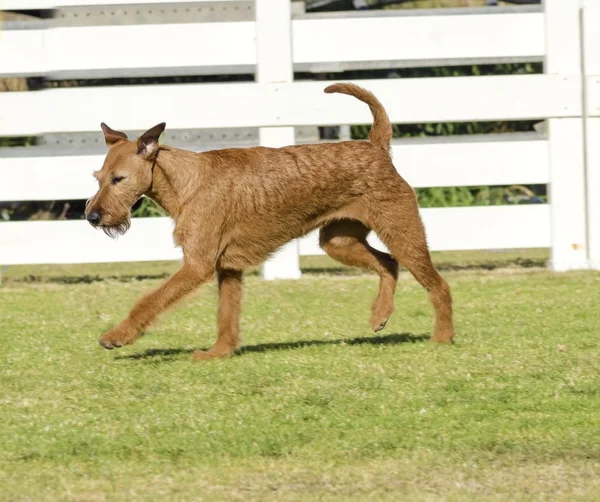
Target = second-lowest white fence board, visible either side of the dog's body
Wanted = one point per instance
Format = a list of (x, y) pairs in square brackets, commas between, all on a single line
[(421, 163)]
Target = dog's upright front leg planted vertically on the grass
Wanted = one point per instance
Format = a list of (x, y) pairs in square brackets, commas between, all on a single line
[(230, 296)]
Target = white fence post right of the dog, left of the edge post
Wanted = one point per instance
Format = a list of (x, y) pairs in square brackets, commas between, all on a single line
[(565, 142)]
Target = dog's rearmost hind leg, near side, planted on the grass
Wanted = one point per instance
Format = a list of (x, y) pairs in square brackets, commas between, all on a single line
[(399, 226)]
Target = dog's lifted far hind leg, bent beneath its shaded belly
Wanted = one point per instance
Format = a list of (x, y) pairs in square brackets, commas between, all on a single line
[(346, 242)]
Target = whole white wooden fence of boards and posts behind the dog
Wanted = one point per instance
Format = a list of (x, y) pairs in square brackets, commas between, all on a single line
[(567, 95)]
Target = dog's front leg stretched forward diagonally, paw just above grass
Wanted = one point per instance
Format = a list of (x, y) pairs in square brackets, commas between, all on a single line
[(149, 307)]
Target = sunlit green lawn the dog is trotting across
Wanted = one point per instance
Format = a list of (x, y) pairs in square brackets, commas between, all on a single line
[(316, 407)]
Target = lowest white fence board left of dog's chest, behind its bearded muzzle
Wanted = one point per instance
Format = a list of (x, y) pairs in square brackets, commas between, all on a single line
[(76, 241)]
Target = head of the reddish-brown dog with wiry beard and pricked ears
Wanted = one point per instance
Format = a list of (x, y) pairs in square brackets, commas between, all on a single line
[(125, 176)]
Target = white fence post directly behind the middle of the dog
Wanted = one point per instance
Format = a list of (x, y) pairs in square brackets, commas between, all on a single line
[(274, 65)]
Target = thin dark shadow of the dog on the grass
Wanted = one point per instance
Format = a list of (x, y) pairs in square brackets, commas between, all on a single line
[(393, 339)]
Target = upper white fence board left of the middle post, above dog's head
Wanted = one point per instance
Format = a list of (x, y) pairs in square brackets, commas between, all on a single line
[(89, 48)]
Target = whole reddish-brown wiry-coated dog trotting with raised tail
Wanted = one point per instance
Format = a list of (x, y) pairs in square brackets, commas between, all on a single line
[(235, 207)]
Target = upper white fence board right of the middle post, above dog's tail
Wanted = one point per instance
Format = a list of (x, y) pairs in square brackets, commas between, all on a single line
[(416, 38)]
